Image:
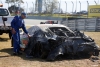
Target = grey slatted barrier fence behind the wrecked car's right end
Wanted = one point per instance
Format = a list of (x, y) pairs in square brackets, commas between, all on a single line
[(92, 24)]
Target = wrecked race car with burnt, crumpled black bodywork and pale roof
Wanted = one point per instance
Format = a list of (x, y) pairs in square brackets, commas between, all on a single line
[(52, 40)]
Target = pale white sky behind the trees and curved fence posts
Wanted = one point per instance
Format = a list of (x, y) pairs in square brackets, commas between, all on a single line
[(62, 4)]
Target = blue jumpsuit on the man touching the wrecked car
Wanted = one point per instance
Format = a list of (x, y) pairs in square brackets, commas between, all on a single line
[(17, 23)]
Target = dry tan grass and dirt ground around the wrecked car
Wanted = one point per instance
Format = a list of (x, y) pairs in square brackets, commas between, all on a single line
[(8, 60)]
